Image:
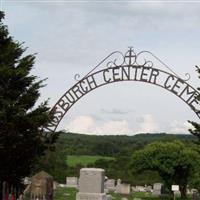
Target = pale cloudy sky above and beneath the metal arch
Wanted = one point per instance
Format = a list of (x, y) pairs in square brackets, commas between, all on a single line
[(72, 37)]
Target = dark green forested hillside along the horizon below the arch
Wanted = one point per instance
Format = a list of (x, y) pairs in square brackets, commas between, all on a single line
[(114, 145)]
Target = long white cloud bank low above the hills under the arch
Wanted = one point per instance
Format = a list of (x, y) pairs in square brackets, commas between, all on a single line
[(87, 124)]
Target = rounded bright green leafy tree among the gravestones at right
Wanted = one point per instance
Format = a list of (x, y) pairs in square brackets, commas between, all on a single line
[(172, 160)]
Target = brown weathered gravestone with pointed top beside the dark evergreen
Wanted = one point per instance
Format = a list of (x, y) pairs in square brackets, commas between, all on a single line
[(41, 186)]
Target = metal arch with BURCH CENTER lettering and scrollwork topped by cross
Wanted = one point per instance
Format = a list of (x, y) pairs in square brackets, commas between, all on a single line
[(129, 69)]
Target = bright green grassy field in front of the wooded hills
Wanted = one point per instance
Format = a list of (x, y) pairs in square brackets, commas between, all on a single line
[(84, 160)]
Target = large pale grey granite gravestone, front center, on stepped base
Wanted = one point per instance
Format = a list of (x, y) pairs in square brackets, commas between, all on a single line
[(91, 184)]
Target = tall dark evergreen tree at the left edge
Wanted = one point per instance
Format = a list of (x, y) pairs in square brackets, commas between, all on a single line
[(21, 138)]
